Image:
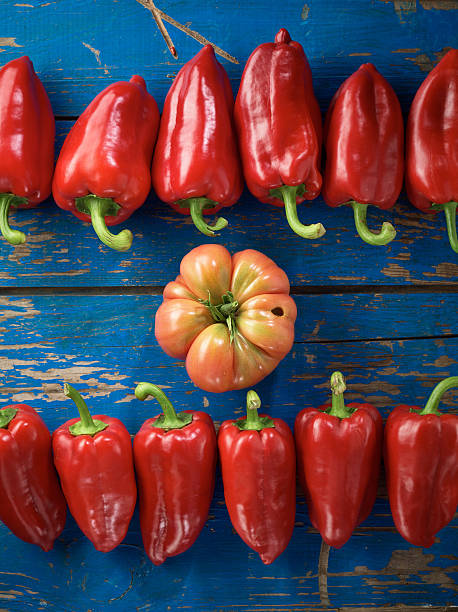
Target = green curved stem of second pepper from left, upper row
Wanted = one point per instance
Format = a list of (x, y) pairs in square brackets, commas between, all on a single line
[(98, 209)]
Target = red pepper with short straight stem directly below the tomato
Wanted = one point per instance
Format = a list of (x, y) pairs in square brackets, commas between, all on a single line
[(258, 463)]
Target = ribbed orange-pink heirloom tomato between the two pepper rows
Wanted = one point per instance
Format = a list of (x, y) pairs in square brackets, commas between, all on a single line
[(231, 318)]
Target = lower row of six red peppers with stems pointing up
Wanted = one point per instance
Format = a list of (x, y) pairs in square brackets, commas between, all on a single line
[(339, 450)]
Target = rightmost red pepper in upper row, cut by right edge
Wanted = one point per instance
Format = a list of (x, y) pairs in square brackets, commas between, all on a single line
[(432, 144)]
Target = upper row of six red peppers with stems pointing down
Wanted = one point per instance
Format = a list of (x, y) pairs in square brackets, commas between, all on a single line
[(104, 170)]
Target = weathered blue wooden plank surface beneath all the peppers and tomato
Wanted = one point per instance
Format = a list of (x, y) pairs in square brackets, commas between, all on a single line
[(72, 310)]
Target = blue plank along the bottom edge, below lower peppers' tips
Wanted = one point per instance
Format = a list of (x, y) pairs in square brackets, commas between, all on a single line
[(220, 573)]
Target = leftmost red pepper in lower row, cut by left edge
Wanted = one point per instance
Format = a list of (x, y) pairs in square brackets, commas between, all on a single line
[(32, 504)]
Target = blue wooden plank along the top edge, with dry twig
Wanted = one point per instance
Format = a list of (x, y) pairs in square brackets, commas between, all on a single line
[(78, 50)]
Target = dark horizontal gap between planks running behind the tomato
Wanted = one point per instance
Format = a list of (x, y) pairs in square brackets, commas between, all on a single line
[(295, 290)]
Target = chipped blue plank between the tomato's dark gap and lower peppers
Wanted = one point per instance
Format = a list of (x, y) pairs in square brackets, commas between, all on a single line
[(108, 345)]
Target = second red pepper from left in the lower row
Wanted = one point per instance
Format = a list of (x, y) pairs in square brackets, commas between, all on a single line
[(93, 457)]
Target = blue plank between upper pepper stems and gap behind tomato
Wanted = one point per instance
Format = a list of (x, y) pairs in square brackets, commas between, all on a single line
[(63, 251)]
